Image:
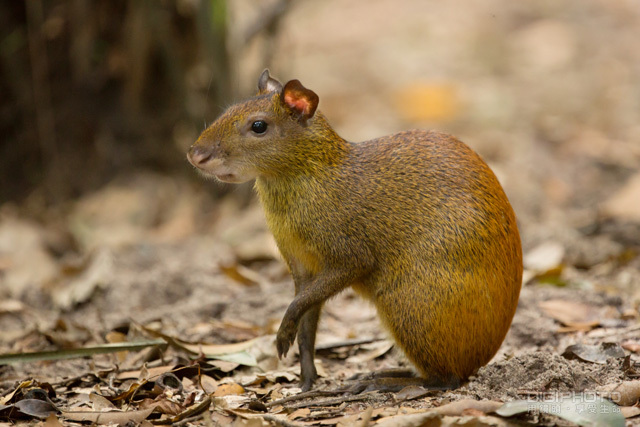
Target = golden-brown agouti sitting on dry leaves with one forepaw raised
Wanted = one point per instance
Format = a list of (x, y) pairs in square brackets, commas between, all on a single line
[(415, 222)]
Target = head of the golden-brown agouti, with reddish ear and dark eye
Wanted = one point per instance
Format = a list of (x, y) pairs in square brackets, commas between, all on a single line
[(259, 136)]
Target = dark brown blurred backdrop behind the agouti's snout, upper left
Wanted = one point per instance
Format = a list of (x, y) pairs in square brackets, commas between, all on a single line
[(93, 88)]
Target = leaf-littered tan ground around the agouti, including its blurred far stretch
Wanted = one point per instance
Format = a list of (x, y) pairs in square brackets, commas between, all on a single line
[(548, 94)]
